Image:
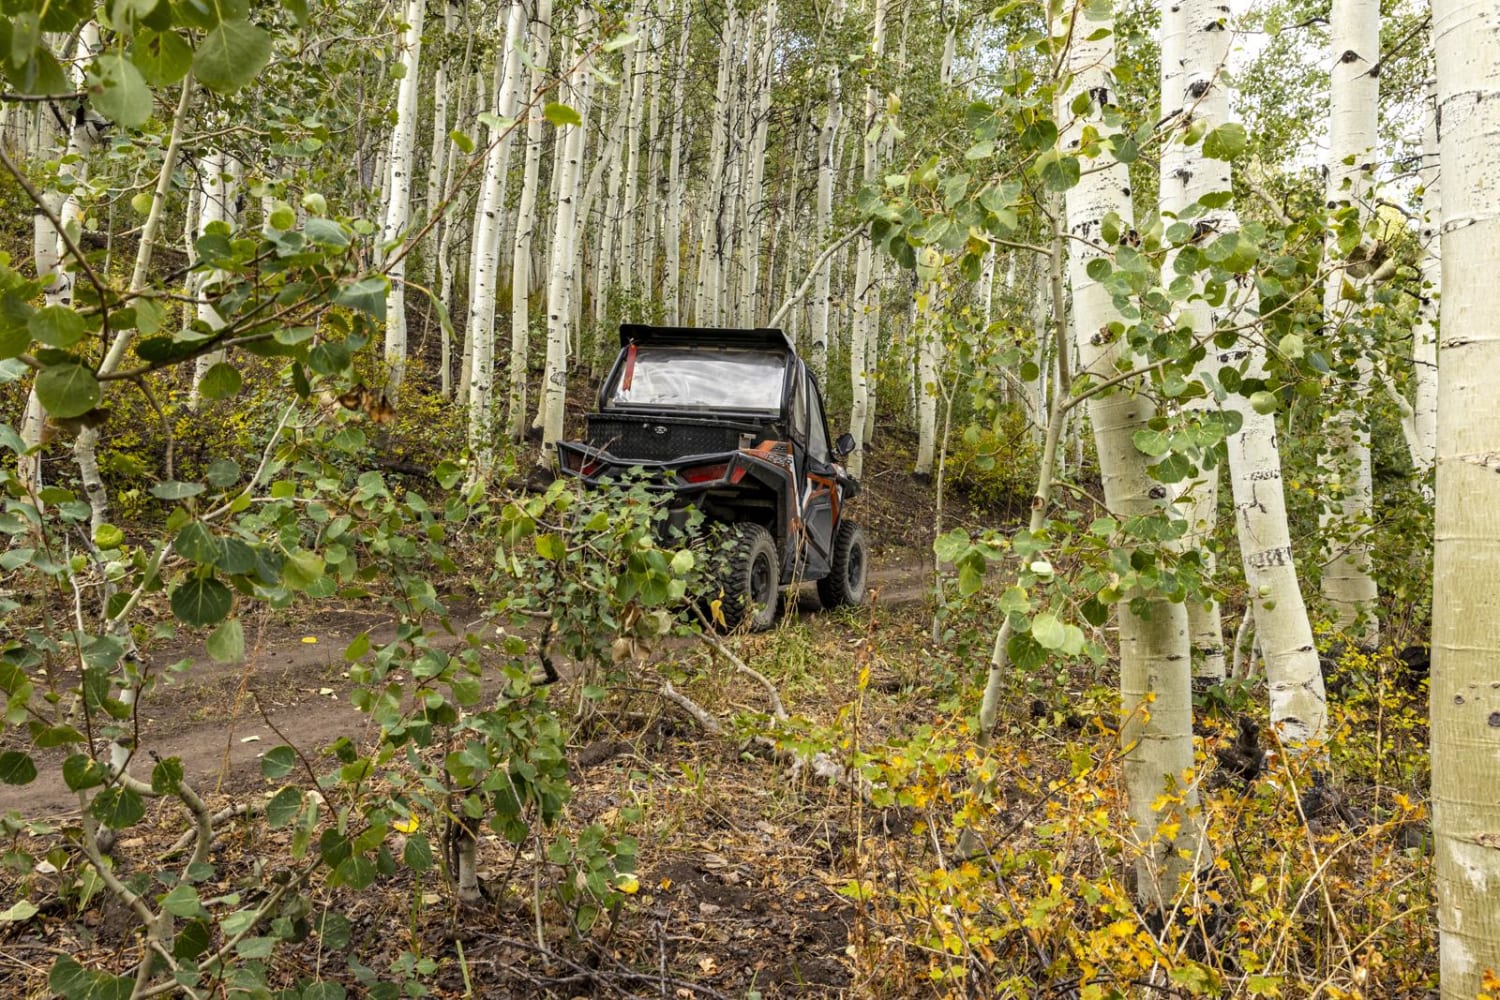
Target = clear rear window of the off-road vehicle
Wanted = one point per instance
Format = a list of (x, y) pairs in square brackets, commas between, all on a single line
[(694, 380)]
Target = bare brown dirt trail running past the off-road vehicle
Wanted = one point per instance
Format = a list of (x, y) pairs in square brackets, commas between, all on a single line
[(212, 716)]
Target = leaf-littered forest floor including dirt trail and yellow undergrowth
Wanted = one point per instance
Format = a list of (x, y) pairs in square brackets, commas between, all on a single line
[(760, 879)]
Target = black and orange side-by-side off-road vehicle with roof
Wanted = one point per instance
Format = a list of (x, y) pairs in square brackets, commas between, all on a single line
[(731, 422)]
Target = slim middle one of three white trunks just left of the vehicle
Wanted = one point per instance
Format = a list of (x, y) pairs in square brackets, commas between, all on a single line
[(526, 232)]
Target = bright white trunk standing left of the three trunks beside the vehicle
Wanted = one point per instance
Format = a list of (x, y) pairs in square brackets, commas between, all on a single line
[(398, 208)]
